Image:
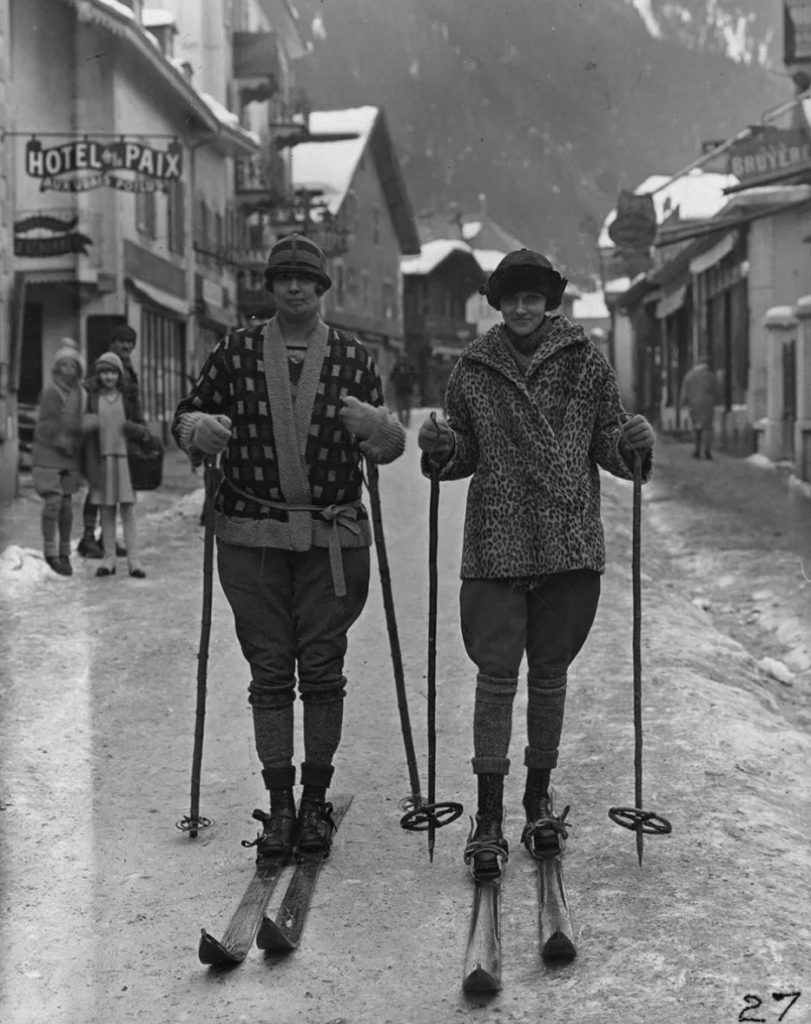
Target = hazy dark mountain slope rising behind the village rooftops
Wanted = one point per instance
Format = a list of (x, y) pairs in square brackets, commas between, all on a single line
[(548, 107)]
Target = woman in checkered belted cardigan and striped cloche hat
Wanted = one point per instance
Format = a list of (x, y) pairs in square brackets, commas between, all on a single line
[(293, 407)]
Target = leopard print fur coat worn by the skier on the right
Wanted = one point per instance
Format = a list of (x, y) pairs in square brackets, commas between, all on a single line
[(534, 444)]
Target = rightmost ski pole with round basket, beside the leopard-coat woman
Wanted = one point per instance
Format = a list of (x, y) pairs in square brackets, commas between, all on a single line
[(634, 818)]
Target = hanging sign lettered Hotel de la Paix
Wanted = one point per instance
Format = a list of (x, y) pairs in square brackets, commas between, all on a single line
[(81, 165)]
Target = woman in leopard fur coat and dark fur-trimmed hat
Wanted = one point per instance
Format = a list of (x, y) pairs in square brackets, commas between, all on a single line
[(533, 412)]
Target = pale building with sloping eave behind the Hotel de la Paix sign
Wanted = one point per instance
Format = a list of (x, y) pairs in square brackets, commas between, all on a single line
[(121, 203)]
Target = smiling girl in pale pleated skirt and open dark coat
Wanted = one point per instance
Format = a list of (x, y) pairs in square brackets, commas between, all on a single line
[(112, 419)]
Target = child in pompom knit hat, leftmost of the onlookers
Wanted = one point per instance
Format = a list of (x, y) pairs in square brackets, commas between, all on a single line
[(56, 455)]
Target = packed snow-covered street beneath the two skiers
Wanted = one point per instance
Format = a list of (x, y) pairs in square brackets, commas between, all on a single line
[(104, 899)]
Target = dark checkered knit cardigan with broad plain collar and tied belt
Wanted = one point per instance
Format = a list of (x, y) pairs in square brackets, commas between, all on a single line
[(290, 453)]
